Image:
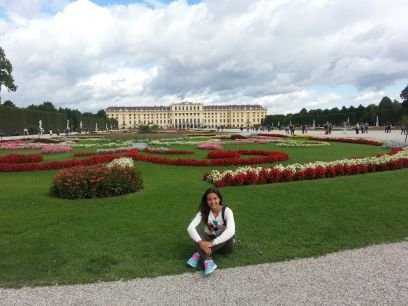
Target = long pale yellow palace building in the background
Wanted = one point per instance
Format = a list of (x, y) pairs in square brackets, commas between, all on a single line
[(186, 115)]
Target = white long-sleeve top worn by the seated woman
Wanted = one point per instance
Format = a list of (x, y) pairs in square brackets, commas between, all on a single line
[(228, 233)]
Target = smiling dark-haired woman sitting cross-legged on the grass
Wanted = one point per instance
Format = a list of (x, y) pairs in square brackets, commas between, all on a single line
[(219, 231)]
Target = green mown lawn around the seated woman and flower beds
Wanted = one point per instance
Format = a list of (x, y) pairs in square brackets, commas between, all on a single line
[(44, 240)]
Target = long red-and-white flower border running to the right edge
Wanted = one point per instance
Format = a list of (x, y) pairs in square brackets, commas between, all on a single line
[(396, 159)]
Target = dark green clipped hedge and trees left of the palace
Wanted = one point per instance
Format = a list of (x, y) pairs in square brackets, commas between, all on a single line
[(14, 120)]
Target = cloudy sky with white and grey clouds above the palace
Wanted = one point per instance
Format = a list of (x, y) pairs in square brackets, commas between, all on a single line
[(283, 54)]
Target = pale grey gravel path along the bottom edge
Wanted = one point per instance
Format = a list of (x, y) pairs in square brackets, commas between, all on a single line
[(376, 275)]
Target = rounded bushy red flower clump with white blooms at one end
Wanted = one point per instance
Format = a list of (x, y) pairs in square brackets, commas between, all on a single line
[(97, 181)]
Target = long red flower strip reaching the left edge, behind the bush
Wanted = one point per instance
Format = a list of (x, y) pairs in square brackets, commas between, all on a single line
[(14, 167)]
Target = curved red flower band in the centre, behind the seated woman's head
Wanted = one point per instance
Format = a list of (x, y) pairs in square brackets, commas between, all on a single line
[(266, 157)]
